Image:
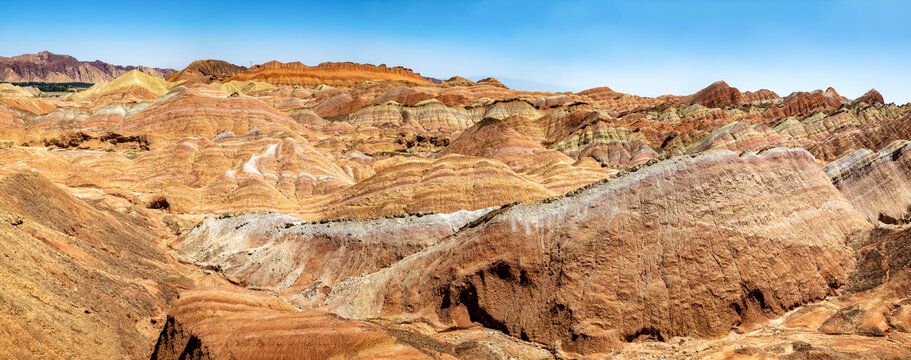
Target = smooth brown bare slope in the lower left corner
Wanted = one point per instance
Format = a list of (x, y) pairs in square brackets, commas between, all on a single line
[(81, 278)]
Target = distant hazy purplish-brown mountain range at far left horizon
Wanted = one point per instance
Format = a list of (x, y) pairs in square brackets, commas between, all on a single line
[(54, 68)]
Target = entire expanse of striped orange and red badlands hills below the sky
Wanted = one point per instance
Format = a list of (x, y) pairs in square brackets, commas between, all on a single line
[(359, 211)]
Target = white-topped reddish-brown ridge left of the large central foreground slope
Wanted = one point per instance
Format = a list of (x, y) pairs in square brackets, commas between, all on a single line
[(279, 253)]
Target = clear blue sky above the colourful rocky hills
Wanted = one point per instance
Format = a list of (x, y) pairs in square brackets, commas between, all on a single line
[(642, 47)]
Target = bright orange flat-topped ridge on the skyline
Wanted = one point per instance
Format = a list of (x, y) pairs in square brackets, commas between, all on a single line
[(332, 74)]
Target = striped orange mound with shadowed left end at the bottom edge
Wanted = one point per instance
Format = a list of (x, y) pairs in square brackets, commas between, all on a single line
[(214, 323)]
